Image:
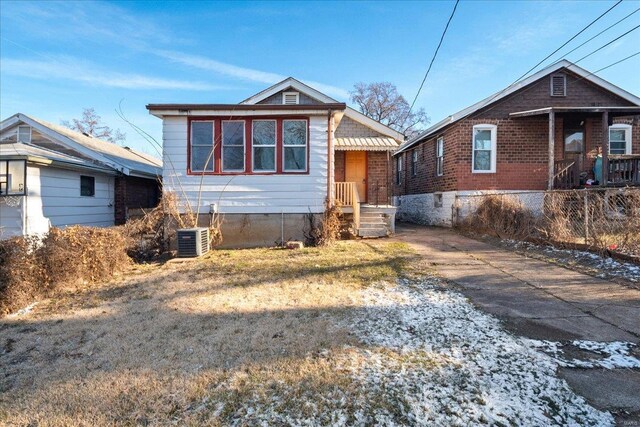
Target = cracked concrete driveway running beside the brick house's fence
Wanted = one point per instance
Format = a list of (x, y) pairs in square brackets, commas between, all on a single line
[(539, 300)]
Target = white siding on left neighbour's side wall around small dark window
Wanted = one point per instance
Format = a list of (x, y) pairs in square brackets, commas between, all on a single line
[(54, 200)]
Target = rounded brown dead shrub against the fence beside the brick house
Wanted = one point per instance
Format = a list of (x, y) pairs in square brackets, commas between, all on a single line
[(502, 216)]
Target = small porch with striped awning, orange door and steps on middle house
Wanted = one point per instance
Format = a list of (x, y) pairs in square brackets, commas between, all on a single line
[(362, 183)]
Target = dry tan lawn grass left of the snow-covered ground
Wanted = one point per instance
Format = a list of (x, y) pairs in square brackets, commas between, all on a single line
[(190, 342)]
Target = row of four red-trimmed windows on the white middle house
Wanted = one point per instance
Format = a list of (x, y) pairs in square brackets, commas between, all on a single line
[(248, 146)]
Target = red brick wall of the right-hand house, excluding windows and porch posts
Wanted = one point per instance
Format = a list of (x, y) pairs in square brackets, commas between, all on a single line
[(522, 143)]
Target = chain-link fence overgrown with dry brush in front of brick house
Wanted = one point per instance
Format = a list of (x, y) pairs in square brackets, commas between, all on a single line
[(601, 218)]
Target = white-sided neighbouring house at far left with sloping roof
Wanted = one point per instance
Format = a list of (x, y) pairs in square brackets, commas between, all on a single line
[(51, 176)]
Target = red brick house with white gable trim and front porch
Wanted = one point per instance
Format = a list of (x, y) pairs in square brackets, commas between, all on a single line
[(546, 132)]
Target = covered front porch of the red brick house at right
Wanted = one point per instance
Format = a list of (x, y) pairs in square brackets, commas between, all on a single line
[(590, 146)]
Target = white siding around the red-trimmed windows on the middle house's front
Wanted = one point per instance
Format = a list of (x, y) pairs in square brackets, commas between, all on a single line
[(247, 193)]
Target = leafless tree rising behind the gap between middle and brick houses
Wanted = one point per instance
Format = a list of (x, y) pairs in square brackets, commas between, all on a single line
[(382, 102)]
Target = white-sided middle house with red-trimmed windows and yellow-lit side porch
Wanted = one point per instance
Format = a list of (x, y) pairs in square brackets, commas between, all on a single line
[(269, 161)]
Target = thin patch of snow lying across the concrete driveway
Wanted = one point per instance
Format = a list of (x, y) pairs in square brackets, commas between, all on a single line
[(617, 353)]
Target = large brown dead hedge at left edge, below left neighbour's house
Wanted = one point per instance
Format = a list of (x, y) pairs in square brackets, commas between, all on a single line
[(32, 267)]
